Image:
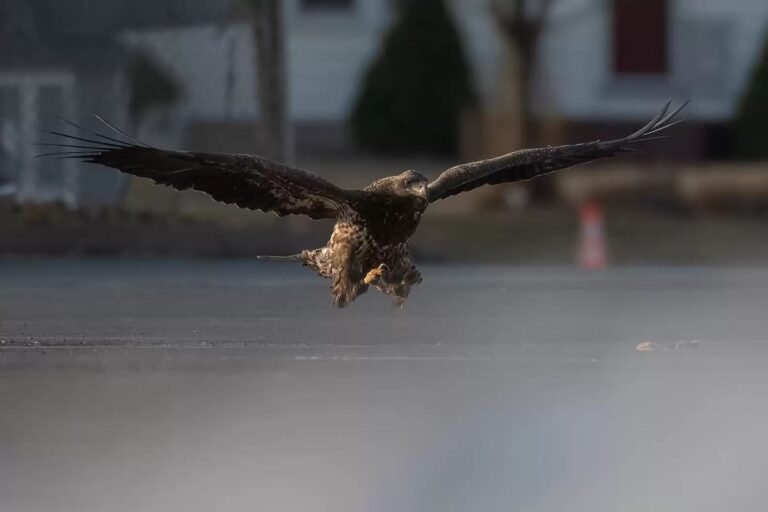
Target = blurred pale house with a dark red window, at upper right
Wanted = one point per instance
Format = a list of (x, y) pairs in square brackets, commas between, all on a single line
[(607, 64)]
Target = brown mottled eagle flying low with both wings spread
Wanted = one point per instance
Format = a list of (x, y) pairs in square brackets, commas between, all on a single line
[(369, 243)]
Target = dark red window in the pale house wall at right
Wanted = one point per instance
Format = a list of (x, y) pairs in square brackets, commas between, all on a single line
[(640, 36)]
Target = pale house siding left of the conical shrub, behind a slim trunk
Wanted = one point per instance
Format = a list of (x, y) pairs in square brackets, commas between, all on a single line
[(327, 53)]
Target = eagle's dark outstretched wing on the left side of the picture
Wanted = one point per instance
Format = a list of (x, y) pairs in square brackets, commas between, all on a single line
[(248, 181)]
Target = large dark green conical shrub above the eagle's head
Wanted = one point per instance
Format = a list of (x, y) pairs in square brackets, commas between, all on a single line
[(416, 89)]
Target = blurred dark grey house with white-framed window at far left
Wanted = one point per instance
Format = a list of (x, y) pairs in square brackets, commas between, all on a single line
[(65, 59)]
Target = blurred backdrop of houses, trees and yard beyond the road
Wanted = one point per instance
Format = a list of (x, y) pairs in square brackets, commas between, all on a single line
[(358, 89)]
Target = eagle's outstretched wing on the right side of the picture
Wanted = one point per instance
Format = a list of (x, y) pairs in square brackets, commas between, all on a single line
[(530, 163)]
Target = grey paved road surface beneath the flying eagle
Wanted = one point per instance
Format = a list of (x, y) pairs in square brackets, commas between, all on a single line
[(208, 385)]
